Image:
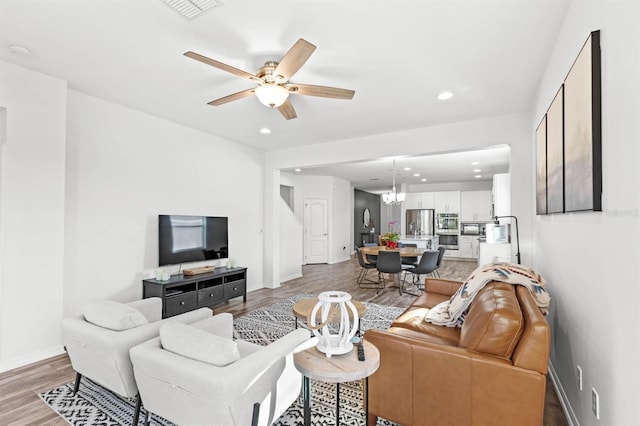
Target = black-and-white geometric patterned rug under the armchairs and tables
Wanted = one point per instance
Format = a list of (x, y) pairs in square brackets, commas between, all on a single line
[(94, 405)]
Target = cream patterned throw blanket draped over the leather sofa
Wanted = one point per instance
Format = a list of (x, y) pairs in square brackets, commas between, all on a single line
[(451, 312)]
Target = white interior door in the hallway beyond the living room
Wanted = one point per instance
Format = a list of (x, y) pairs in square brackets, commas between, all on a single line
[(316, 245)]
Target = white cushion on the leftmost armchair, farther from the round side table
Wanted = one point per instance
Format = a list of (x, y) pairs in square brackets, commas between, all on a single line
[(113, 315)]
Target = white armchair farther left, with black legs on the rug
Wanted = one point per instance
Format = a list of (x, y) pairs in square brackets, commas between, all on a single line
[(102, 354)]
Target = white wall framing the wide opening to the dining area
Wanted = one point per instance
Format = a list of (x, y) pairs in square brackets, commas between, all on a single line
[(512, 130)]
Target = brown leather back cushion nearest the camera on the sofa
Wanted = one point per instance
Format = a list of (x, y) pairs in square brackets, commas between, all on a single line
[(494, 322)]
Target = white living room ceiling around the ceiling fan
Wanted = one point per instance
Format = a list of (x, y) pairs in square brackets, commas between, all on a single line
[(396, 55)]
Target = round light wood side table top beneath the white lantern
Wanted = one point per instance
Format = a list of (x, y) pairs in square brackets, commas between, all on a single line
[(338, 368)]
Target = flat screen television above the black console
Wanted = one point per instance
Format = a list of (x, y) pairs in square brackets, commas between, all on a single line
[(184, 239)]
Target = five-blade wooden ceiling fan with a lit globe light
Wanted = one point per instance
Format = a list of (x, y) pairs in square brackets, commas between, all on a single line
[(273, 80)]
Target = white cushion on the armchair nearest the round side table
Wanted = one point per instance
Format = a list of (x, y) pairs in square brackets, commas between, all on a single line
[(197, 344)]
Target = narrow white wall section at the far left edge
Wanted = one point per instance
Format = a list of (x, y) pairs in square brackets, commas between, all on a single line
[(32, 166)]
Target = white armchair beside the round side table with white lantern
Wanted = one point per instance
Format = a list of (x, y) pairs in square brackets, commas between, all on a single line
[(191, 392)]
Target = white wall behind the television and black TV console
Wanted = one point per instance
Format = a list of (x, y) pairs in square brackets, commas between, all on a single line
[(123, 169)]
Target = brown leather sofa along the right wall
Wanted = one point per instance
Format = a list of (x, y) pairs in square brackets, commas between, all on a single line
[(492, 371)]
